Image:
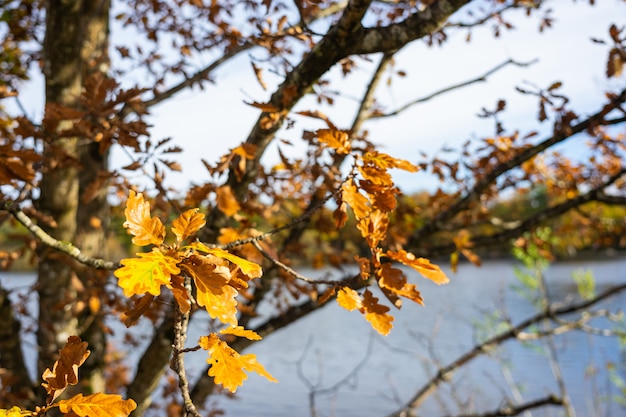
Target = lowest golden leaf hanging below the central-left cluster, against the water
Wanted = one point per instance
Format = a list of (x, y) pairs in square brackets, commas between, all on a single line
[(228, 366)]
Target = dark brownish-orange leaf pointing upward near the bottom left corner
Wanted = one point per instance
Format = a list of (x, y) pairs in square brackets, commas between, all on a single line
[(65, 370)]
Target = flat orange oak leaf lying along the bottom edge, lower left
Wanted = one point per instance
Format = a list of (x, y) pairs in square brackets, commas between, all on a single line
[(97, 405)]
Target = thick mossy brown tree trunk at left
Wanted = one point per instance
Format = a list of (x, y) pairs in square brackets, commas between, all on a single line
[(75, 47)]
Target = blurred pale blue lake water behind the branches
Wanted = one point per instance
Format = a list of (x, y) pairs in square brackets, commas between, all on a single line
[(353, 371)]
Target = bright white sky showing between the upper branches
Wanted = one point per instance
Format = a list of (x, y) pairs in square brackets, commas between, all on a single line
[(207, 123)]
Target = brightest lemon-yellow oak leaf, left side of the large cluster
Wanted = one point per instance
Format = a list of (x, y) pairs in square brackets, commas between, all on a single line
[(147, 273)]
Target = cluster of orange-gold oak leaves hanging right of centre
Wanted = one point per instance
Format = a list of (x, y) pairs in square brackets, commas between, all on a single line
[(371, 200)]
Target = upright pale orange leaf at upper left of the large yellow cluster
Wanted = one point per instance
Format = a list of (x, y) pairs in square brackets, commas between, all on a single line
[(145, 229)]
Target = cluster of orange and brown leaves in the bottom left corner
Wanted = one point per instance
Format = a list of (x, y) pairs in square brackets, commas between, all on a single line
[(65, 373)]
